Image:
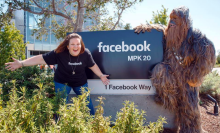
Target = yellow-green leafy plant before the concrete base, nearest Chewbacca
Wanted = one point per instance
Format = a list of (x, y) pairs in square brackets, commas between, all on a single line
[(131, 120)]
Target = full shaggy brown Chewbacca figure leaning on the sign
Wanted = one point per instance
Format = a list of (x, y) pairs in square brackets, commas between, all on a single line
[(188, 57)]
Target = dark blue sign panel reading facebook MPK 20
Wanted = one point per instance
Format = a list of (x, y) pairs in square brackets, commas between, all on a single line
[(124, 54)]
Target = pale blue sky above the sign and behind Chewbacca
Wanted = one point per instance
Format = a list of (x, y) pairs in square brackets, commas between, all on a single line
[(204, 13)]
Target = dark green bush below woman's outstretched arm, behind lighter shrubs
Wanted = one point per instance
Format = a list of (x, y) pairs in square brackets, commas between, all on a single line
[(27, 77)]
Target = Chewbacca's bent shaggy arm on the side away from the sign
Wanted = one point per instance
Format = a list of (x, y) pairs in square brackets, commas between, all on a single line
[(204, 59)]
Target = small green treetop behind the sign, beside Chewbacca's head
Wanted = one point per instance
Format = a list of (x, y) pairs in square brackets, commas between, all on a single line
[(160, 17)]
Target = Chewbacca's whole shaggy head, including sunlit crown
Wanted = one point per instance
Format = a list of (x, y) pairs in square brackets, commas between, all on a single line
[(178, 26)]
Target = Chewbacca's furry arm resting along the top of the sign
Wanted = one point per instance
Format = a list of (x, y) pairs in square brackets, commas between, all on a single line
[(148, 27)]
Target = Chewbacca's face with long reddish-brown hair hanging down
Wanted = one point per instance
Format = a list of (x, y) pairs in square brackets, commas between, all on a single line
[(175, 32)]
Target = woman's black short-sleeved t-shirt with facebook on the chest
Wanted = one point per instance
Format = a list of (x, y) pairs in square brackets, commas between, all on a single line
[(67, 63)]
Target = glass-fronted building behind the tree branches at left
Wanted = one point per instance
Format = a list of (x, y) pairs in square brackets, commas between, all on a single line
[(26, 22)]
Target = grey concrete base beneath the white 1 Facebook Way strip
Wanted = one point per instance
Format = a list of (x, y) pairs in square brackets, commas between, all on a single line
[(113, 104)]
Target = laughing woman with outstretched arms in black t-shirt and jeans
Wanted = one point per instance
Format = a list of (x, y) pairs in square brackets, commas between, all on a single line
[(72, 58)]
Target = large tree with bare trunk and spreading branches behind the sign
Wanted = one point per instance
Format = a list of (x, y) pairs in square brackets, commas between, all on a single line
[(72, 14)]
